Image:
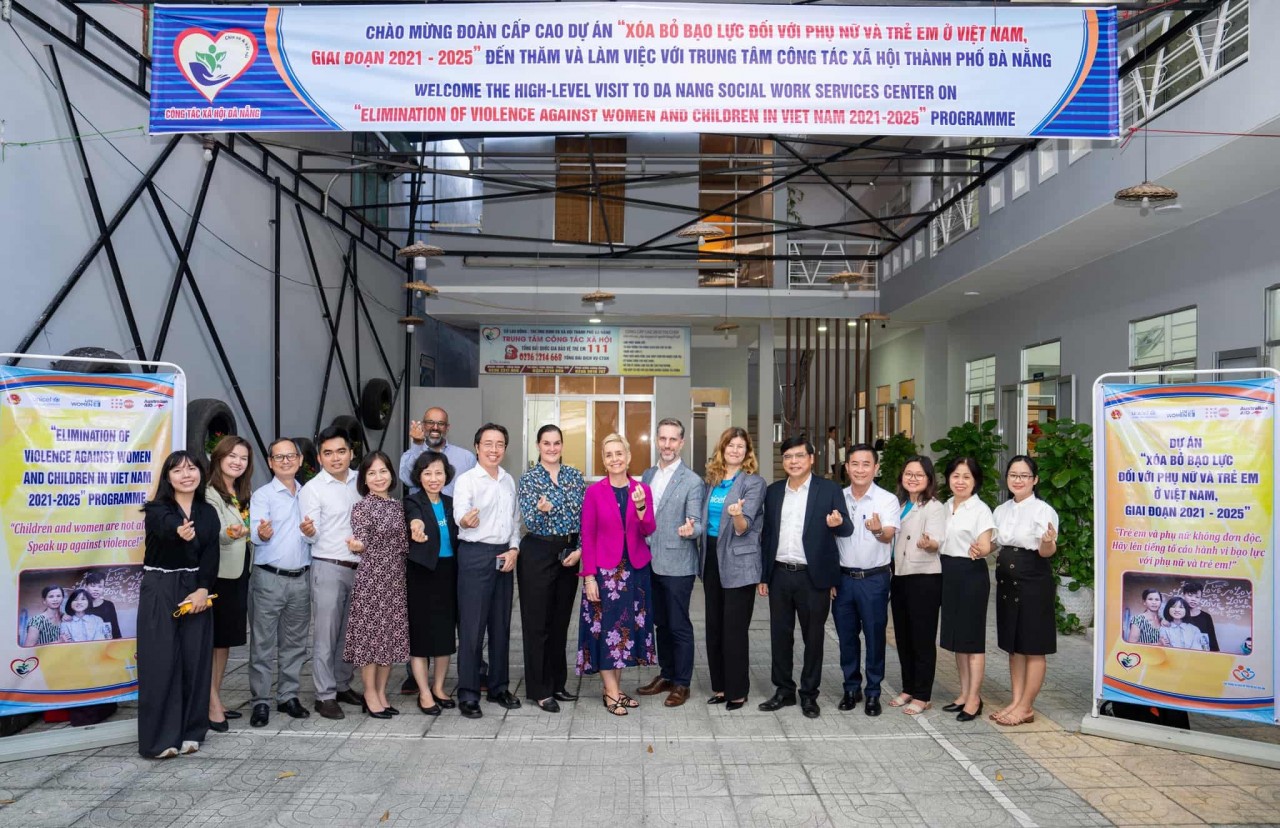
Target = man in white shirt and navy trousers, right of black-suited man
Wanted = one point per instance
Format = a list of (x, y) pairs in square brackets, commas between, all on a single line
[(861, 602)]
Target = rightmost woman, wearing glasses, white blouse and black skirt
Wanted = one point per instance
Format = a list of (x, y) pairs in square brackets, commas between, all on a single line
[(1027, 534)]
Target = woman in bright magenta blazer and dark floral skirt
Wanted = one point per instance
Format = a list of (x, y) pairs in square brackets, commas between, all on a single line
[(616, 621)]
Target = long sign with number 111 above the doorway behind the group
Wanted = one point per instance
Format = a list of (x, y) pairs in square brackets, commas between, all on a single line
[(588, 350)]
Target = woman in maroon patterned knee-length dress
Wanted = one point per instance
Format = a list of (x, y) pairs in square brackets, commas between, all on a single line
[(378, 623)]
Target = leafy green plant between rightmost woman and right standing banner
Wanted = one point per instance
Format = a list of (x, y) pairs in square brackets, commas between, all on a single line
[(1064, 454)]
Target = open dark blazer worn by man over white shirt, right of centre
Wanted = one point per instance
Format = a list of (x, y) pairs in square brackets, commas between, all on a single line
[(819, 539)]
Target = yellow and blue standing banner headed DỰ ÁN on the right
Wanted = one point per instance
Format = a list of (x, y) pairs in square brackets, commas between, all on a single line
[(1187, 500)]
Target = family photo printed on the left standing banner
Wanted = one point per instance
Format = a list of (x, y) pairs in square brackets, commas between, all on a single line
[(77, 605)]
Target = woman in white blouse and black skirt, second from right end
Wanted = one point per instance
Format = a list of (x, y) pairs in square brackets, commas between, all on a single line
[(967, 584)]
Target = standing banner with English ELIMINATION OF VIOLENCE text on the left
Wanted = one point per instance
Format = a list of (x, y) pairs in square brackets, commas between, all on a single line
[(79, 458)]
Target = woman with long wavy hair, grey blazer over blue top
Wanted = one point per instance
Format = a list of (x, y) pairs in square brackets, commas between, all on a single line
[(732, 569)]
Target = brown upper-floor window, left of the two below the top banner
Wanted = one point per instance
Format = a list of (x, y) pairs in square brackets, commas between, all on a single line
[(596, 166)]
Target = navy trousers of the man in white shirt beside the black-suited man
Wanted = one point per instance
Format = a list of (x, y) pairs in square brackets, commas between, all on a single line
[(862, 609)]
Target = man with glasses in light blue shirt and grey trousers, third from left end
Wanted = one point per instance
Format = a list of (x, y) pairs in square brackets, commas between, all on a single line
[(281, 588)]
